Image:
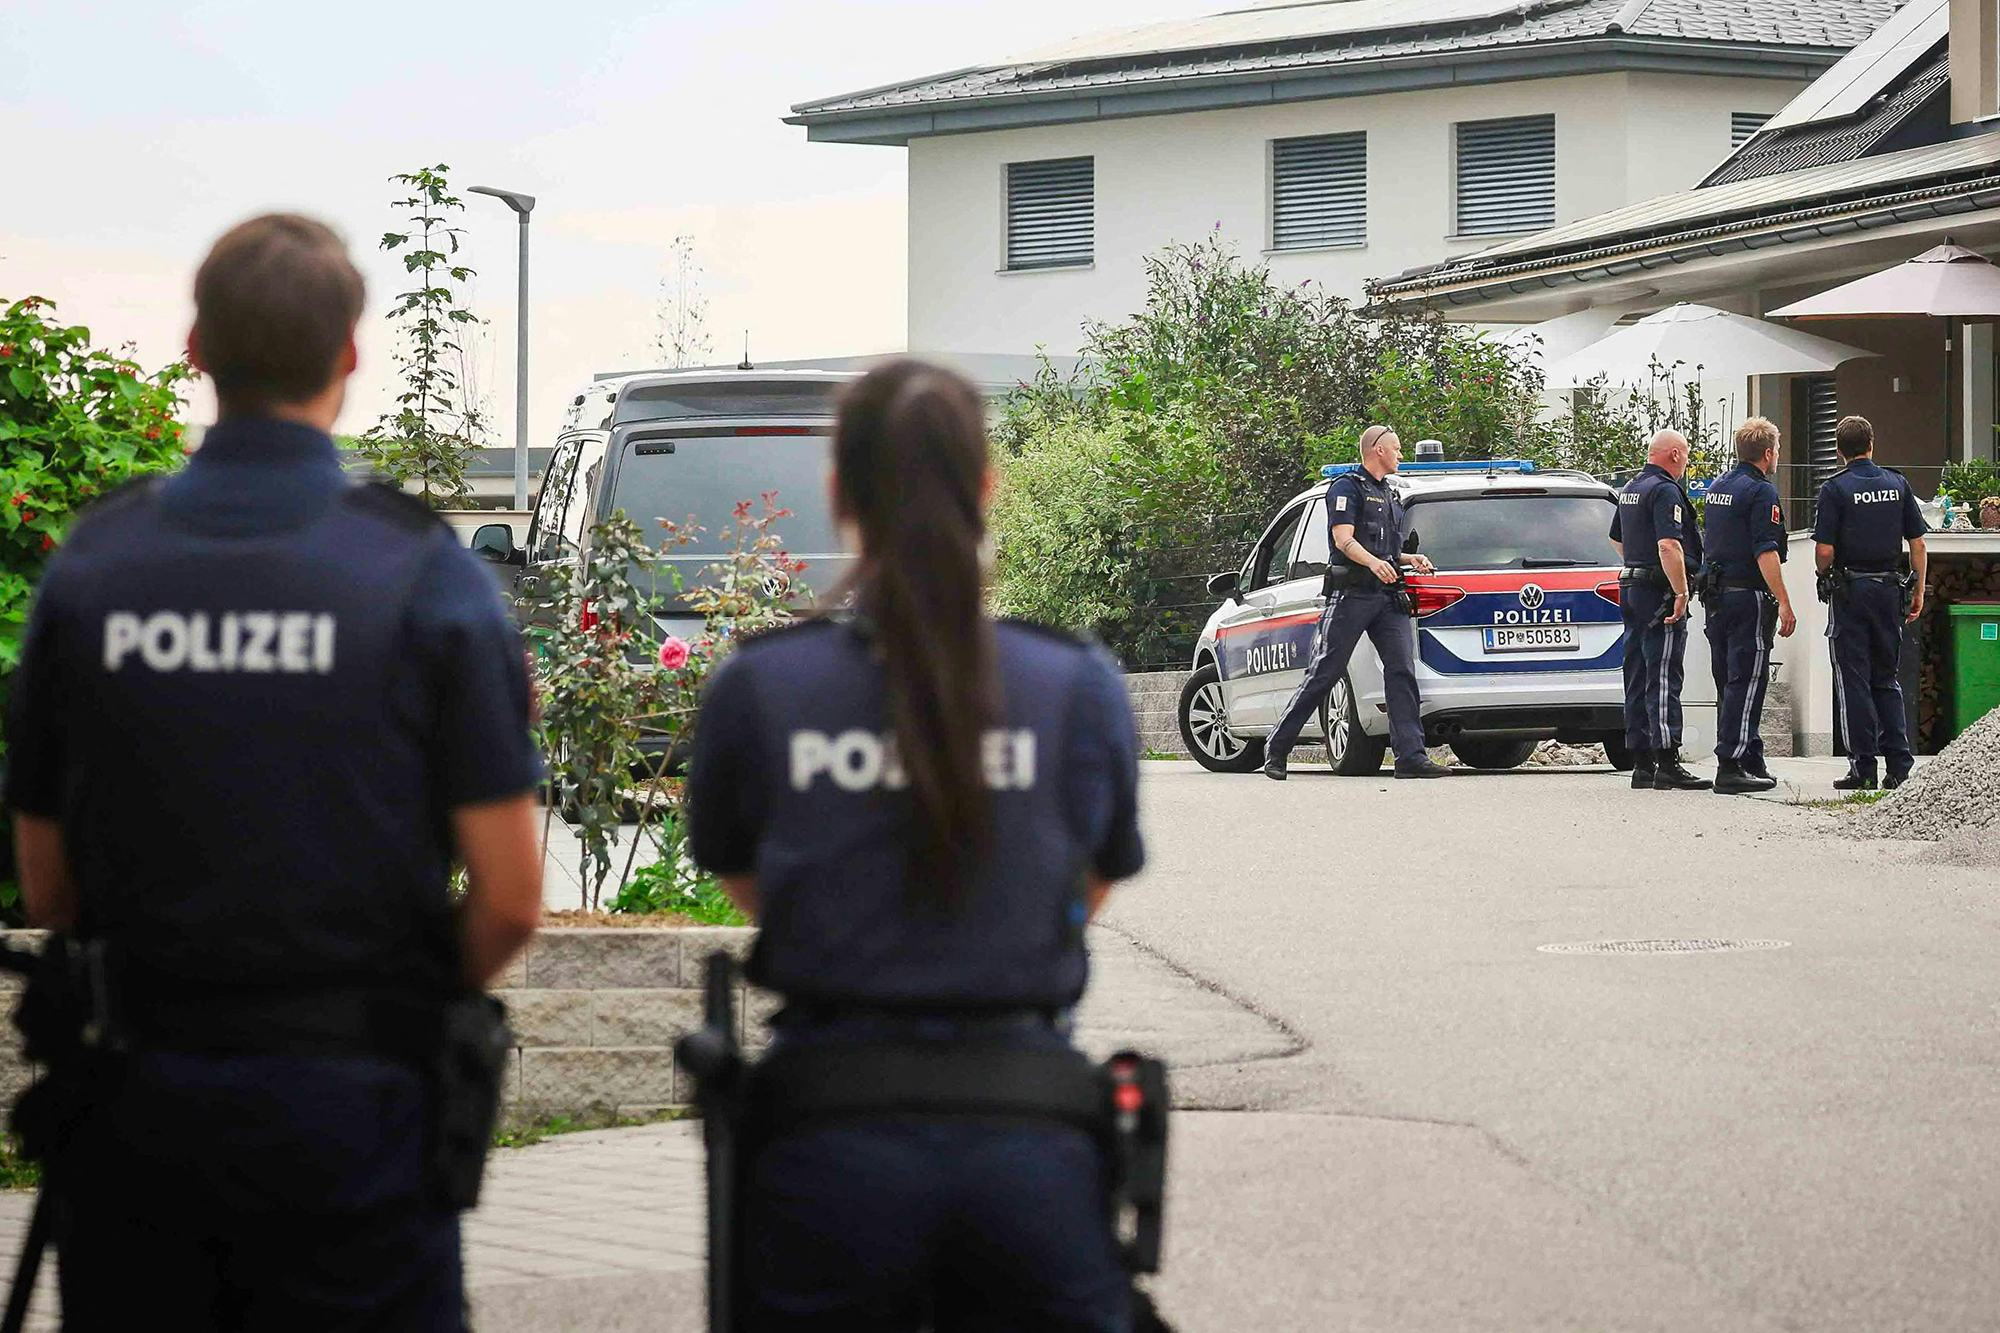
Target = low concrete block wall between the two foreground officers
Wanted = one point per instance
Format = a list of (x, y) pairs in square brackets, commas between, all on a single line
[(597, 1014)]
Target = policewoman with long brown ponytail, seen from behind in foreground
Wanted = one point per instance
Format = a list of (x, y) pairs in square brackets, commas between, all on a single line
[(923, 810)]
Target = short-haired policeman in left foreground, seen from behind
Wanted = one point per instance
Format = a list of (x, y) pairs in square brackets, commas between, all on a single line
[(261, 712)]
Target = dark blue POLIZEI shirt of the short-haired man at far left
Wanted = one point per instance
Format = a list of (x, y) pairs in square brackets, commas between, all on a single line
[(253, 694)]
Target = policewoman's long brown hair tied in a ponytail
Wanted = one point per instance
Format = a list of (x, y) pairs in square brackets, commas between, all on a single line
[(909, 471)]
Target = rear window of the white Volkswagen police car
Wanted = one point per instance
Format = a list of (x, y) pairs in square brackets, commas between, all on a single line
[(1515, 531)]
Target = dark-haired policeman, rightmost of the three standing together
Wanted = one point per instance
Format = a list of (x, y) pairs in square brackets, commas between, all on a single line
[(1867, 513)]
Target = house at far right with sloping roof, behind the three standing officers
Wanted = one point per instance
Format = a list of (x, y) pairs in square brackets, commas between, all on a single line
[(1891, 153)]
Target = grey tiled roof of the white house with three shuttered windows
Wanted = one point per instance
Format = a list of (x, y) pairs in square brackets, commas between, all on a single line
[(1787, 25)]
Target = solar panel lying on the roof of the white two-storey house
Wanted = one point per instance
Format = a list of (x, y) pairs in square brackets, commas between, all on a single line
[(1275, 23)]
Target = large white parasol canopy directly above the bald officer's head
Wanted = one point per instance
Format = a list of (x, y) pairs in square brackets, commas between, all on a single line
[(1721, 343)]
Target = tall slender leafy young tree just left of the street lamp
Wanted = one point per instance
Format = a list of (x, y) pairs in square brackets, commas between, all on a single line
[(427, 439)]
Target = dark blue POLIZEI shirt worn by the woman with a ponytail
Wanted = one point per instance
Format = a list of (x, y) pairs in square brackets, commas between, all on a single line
[(795, 780)]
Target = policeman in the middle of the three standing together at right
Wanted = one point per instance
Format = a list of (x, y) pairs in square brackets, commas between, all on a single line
[(1747, 603)]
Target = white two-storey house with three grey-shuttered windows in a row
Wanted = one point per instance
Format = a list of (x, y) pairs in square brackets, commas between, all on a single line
[(1343, 141)]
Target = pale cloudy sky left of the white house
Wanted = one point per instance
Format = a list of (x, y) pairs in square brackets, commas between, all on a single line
[(139, 131)]
